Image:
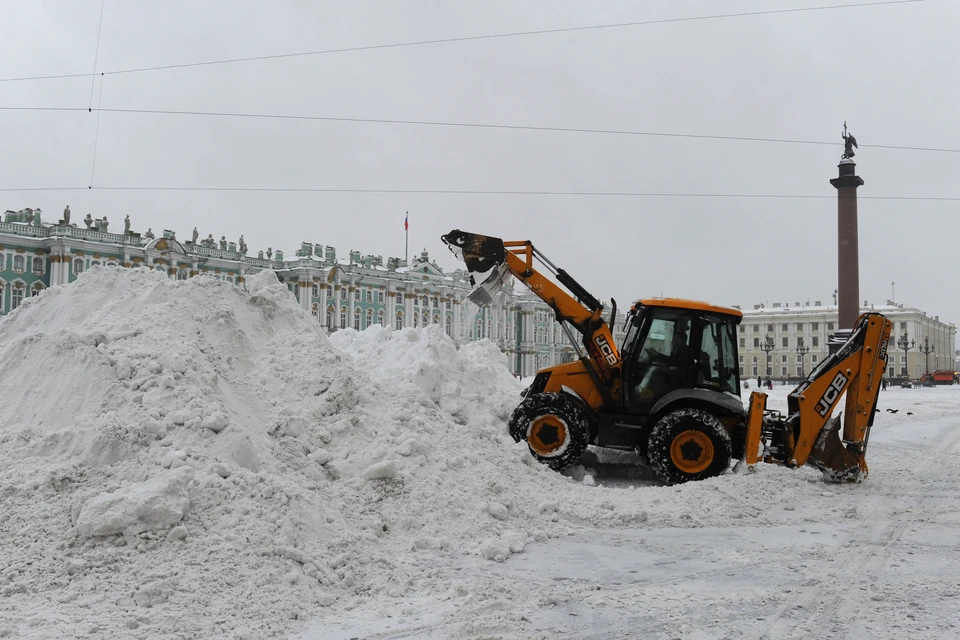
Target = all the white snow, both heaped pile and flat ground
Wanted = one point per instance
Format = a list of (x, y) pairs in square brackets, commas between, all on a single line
[(188, 460)]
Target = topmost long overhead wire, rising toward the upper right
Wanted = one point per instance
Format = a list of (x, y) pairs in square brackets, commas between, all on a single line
[(515, 34)]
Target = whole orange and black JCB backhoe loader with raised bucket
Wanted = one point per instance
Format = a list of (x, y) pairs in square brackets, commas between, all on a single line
[(672, 390)]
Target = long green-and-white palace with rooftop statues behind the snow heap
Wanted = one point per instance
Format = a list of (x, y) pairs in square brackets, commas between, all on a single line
[(356, 291)]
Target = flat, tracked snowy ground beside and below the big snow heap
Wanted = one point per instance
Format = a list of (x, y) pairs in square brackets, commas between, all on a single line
[(777, 554)]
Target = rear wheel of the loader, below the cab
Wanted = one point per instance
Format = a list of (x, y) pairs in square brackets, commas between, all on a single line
[(689, 444)]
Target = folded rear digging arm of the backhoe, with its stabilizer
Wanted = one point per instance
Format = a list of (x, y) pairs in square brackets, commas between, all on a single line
[(808, 435)]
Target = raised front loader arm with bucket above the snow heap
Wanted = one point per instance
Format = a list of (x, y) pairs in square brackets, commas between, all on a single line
[(489, 259)]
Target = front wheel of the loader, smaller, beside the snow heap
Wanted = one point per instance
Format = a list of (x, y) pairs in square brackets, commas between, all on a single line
[(557, 426)]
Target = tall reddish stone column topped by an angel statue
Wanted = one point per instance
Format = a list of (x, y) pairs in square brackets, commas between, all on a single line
[(848, 262)]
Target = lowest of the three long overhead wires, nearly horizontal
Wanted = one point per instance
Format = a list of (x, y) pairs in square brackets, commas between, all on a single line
[(477, 192)]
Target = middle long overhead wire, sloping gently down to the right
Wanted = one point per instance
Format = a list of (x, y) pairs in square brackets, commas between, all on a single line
[(475, 125)]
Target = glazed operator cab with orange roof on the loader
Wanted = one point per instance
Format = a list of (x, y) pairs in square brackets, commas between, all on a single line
[(678, 347)]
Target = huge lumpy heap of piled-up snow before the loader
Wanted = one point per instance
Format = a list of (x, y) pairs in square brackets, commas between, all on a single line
[(189, 459)]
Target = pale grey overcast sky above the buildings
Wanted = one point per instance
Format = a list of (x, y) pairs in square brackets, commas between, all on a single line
[(889, 71)]
